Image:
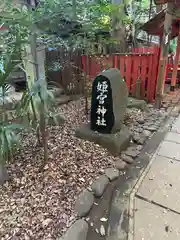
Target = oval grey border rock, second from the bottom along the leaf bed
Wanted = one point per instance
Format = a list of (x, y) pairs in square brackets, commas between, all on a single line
[(84, 203)]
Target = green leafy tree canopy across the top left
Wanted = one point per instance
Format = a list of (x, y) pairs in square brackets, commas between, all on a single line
[(52, 18)]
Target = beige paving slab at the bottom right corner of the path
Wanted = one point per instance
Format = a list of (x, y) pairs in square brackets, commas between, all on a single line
[(155, 223)]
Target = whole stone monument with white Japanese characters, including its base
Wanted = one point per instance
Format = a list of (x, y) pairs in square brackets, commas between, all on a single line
[(108, 107)]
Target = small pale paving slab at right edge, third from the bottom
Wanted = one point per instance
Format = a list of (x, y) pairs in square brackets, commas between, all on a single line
[(170, 150)]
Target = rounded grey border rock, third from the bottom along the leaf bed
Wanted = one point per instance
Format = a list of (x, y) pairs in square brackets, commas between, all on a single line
[(100, 185)]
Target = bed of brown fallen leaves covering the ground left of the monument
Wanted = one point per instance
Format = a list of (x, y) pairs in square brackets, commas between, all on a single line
[(38, 204)]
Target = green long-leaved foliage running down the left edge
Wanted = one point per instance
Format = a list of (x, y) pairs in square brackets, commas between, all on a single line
[(9, 137)]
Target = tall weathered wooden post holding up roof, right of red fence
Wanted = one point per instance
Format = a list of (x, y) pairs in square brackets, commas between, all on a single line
[(164, 55)]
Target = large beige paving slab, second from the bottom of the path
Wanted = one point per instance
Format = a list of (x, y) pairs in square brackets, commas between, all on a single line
[(162, 183)]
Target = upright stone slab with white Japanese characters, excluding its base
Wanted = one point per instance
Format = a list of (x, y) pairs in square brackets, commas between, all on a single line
[(107, 105)]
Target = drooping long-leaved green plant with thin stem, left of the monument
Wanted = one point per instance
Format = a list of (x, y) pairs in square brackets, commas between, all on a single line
[(38, 104)]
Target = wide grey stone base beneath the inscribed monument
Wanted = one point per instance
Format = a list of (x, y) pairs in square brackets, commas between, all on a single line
[(115, 143)]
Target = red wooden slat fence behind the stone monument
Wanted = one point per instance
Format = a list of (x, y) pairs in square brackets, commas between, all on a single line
[(133, 67)]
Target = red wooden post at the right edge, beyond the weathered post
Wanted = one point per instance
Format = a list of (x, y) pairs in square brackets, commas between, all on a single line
[(175, 65)]
